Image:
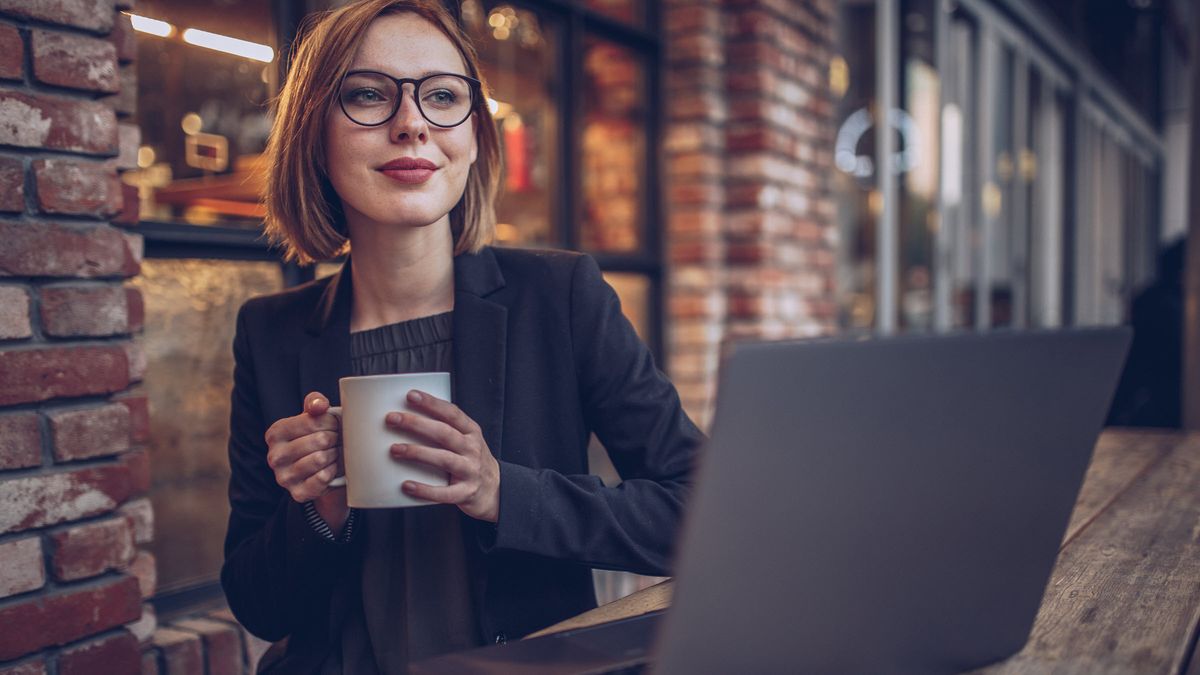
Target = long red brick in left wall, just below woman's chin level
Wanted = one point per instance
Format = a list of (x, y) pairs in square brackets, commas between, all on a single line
[(43, 249)]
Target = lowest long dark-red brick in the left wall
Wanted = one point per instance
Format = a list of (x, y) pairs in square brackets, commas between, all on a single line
[(68, 617)]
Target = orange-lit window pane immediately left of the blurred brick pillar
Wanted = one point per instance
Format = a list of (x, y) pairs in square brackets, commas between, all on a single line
[(614, 147)]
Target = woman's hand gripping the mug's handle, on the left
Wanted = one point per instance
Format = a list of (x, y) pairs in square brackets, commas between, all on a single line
[(305, 453)]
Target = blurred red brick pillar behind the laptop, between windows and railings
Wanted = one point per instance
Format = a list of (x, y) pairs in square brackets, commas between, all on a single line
[(752, 225)]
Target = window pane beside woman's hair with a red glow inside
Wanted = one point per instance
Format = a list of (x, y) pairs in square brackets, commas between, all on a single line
[(518, 55)]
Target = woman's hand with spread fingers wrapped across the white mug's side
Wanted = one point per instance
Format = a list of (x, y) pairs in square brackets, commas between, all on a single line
[(455, 446)]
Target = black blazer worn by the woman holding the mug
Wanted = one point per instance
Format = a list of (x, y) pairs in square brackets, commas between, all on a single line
[(543, 357)]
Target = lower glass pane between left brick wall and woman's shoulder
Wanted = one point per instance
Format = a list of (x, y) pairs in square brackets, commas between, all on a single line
[(191, 307)]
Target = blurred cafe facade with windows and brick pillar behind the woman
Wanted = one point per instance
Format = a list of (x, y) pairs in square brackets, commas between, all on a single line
[(740, 170)]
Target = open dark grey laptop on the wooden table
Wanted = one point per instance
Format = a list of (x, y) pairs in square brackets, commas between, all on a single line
[(865, 506)]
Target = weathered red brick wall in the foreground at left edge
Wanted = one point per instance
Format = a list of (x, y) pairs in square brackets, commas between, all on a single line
[(74, 474)]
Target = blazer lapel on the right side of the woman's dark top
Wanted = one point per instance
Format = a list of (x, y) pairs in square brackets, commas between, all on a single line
[(481, 330)]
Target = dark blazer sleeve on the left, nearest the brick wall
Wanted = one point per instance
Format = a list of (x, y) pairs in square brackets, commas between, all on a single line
[(279, 572)]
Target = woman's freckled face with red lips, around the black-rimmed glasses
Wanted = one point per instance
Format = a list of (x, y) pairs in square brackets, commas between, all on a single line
[(363, 160)]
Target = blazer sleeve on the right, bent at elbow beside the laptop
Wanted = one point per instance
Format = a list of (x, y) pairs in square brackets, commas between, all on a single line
[(637, 414)]
